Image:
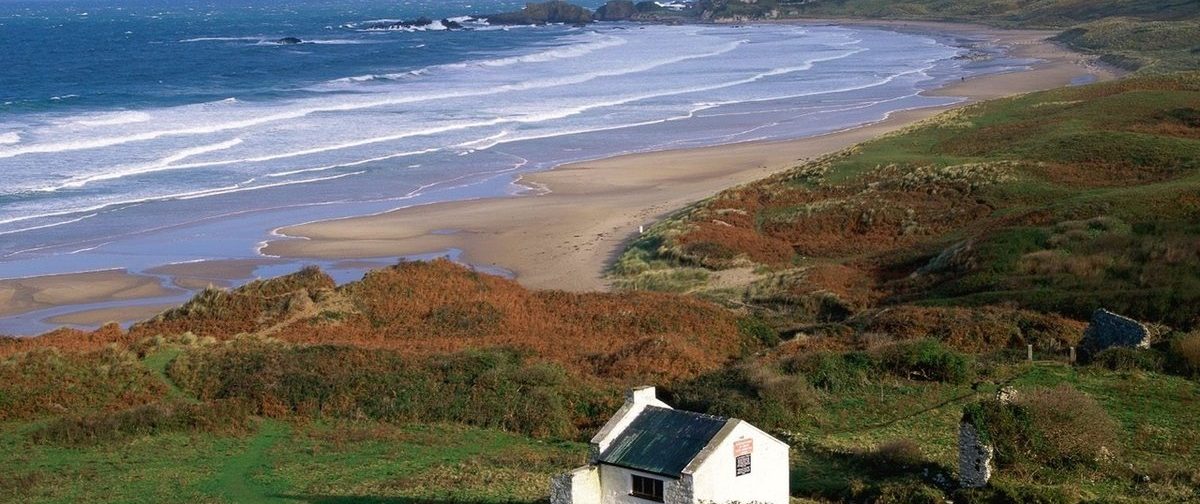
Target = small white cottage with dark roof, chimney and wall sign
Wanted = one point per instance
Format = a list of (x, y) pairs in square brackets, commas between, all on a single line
[(651, 453)]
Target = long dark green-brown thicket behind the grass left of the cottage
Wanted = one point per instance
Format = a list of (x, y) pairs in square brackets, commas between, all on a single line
[(491, 388)]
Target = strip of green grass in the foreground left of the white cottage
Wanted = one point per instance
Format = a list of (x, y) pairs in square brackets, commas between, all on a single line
[(284, 463)]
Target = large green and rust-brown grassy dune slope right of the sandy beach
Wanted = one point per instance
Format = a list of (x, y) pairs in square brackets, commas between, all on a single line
[(1059, 203)]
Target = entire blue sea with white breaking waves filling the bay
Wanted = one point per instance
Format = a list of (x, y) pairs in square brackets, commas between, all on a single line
[(139, 134)]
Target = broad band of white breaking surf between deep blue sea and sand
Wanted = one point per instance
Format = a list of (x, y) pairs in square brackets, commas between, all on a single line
[(584, 83)]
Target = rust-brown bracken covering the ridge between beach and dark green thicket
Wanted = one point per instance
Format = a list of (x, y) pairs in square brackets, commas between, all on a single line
[(441, 308)]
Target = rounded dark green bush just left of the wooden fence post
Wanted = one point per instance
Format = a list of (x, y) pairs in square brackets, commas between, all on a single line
[(927, 361)]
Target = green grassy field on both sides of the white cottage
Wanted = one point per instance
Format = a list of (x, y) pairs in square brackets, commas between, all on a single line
[(844, 422)]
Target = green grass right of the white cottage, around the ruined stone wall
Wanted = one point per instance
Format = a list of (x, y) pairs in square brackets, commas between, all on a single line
[(1155, 412)]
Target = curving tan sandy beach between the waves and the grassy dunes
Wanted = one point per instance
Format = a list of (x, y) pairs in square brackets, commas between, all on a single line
[(577, 218)]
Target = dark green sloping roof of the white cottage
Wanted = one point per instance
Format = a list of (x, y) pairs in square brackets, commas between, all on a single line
[(663, 441)]
